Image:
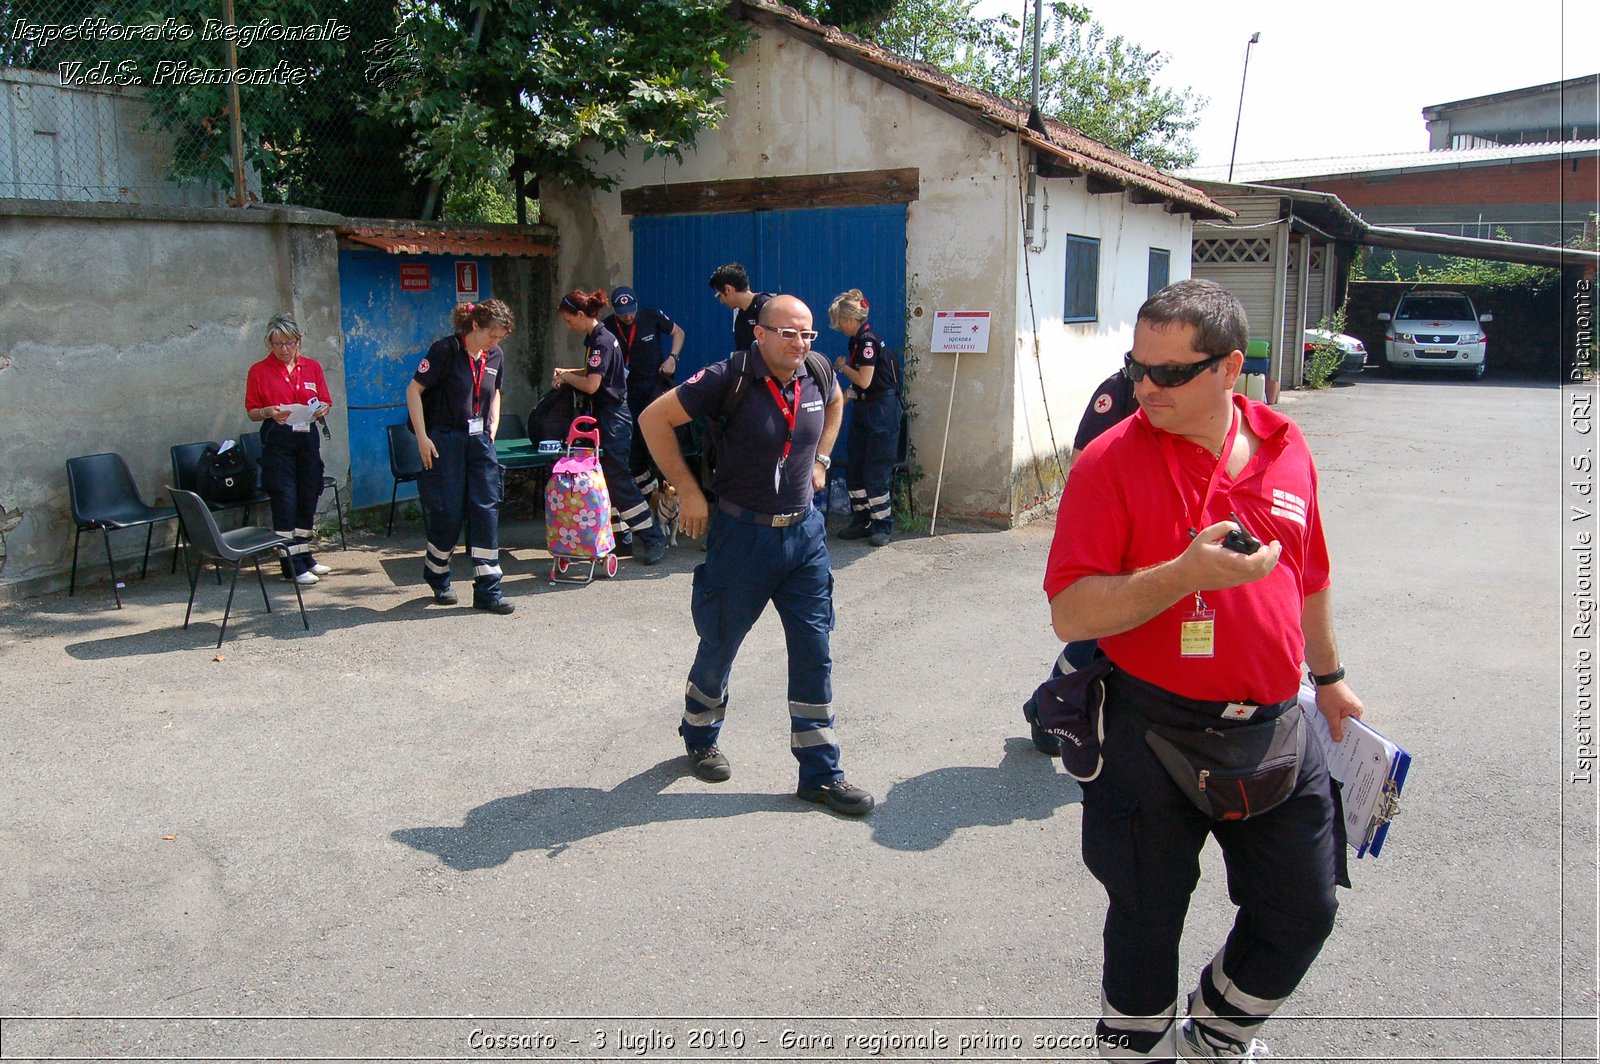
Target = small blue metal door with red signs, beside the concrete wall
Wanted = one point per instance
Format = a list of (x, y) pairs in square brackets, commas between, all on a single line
[(394, 306)]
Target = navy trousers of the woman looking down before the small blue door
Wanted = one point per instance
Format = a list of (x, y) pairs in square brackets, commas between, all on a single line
[(465, 487)]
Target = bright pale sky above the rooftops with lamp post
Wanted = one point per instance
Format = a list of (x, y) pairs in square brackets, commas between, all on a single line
[(1350, 78)]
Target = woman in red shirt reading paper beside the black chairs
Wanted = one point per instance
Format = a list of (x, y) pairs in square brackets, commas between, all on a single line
[(290, 457)]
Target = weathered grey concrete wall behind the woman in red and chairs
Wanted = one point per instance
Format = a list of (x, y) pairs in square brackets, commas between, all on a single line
[(130, 329)]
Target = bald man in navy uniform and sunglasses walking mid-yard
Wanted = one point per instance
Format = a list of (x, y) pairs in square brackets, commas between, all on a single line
[(766, 543)]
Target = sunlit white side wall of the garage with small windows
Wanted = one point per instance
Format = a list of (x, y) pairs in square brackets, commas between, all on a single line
[(1058, 364)]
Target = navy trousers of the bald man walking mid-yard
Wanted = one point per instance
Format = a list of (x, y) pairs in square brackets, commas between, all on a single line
[(746, 567)]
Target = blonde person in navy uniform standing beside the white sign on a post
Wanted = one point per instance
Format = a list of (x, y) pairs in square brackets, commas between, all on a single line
[(874, 422)]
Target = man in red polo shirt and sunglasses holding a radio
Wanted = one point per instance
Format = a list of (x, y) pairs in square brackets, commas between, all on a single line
[(1201, 633)]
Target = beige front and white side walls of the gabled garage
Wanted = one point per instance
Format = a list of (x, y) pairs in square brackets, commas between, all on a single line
[(796, 111)]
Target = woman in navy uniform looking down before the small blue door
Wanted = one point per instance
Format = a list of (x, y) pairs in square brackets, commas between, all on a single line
[(454, 402)]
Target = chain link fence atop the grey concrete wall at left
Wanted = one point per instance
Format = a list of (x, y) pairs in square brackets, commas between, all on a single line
[(121, 102)]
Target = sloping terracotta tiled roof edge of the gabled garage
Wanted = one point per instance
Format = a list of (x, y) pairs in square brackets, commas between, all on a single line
[(1073, 150)]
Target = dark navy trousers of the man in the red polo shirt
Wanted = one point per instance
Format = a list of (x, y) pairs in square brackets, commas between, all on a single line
[(1143, 839)]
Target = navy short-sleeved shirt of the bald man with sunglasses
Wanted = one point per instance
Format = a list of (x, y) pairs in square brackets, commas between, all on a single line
[(756, 434)]
